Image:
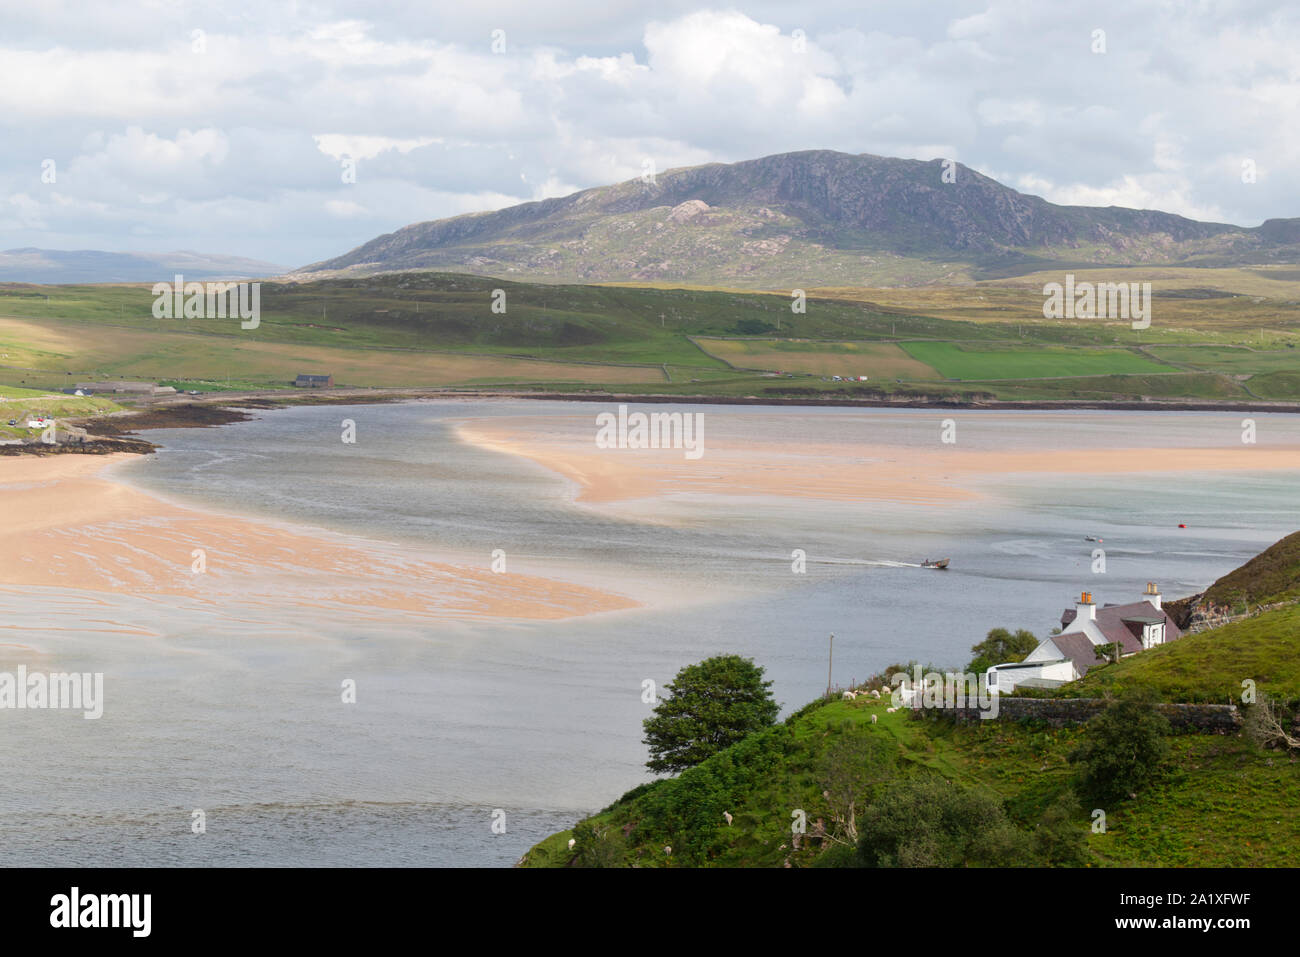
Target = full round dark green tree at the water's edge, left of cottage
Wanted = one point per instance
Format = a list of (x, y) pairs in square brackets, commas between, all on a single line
[(708, 708)]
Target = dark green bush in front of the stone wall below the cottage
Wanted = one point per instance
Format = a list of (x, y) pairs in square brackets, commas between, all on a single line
[(1124, 748)]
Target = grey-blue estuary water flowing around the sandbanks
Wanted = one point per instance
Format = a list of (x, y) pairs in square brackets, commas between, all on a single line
[(235, 712)]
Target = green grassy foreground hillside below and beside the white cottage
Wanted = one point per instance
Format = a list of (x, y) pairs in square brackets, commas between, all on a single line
[(1217, 802)]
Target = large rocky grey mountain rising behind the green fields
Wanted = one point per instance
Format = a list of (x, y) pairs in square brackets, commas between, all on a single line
[(808, 219)]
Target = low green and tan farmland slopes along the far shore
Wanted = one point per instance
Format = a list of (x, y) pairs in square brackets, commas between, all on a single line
[(426, 330)]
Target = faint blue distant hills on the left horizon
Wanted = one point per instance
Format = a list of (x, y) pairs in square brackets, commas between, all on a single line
[(94, 266)]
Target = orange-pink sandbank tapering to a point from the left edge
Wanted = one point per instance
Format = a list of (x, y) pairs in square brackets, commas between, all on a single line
[(68, 525)]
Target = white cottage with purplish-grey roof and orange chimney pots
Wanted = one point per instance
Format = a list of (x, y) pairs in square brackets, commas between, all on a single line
[(1068, 657)]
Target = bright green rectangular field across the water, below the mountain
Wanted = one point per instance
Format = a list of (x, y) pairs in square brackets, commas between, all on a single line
[(959, 361)]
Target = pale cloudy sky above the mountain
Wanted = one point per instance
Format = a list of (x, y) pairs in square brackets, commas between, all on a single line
[(294, 132)]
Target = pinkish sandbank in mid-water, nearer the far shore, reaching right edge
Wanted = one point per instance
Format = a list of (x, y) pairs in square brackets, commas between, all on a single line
[(847, 471)]
